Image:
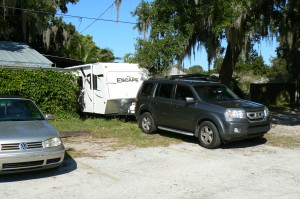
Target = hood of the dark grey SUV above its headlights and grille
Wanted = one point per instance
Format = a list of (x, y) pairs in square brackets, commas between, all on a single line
[(247, 105)]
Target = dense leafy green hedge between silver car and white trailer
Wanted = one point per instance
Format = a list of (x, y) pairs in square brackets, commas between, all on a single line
[(53, 91)]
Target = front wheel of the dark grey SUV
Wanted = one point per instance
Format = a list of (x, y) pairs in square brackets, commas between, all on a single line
[(209, 135)]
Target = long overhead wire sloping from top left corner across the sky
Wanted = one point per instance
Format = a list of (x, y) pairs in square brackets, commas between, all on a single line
[(65, 15)]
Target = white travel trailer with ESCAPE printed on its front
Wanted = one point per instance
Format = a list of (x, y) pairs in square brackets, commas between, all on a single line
[(109, 88)]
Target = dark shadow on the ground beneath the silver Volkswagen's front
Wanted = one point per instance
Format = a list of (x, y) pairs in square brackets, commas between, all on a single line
[(67, 166)]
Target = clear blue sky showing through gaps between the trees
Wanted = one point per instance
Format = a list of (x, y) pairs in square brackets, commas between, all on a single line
[(121, 37)]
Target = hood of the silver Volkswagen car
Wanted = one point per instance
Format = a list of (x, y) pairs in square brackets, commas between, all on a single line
[(26, 131)]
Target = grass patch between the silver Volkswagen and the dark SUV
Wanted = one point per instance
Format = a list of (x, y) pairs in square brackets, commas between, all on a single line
[(125, 133)]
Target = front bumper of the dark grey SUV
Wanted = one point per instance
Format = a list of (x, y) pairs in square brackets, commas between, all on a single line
[(234, 131)]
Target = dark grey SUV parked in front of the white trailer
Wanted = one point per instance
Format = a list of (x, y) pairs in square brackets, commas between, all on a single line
[(207, 110)]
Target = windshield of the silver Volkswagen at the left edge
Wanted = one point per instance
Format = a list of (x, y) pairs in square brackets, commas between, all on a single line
[(19, 110)]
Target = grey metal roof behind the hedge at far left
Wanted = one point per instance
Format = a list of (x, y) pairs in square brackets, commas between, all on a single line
[(14, 54)]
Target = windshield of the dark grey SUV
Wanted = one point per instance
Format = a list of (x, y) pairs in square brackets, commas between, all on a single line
[(216, 93)]
